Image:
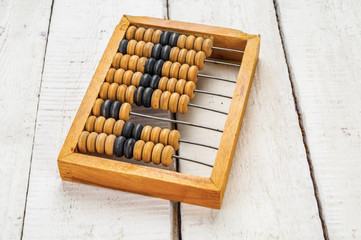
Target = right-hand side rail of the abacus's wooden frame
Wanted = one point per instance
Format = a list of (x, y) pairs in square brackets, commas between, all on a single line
[(225, 154)]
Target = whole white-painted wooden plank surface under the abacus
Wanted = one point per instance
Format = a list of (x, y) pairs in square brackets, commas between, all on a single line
[(297, 168)]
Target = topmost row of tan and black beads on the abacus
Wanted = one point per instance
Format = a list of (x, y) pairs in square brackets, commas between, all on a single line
[(170, 38)]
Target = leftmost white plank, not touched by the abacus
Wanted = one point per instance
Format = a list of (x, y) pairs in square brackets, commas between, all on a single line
[(23, 34)]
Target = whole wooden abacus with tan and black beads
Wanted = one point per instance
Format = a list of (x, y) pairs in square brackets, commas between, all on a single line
[(154, 63)]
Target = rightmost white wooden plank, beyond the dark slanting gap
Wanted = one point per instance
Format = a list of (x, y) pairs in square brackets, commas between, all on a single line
[(323, 44)]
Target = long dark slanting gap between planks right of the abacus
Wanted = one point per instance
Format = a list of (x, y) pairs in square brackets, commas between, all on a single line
[(301, 125)]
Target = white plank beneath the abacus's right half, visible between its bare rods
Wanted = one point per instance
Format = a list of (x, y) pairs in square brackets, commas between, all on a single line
[(270, 193)]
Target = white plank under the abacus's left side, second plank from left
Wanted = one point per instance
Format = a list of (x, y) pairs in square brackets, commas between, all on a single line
[(56, 209)]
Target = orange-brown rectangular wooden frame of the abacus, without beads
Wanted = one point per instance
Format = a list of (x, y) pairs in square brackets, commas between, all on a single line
[(150, 181)]
